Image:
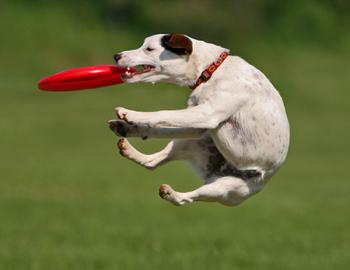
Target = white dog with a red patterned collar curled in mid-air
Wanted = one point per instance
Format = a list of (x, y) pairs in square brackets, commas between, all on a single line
[(234, 132)]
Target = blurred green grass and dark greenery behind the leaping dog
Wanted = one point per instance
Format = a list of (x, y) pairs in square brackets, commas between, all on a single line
[(69, 201)]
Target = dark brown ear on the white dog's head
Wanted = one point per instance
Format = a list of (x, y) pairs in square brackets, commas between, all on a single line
[(177, 43)]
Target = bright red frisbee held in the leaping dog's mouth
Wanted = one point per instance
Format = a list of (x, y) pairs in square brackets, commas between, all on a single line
[(83, 78)]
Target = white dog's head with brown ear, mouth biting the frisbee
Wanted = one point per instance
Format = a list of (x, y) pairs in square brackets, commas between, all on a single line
[(160, 58)]
